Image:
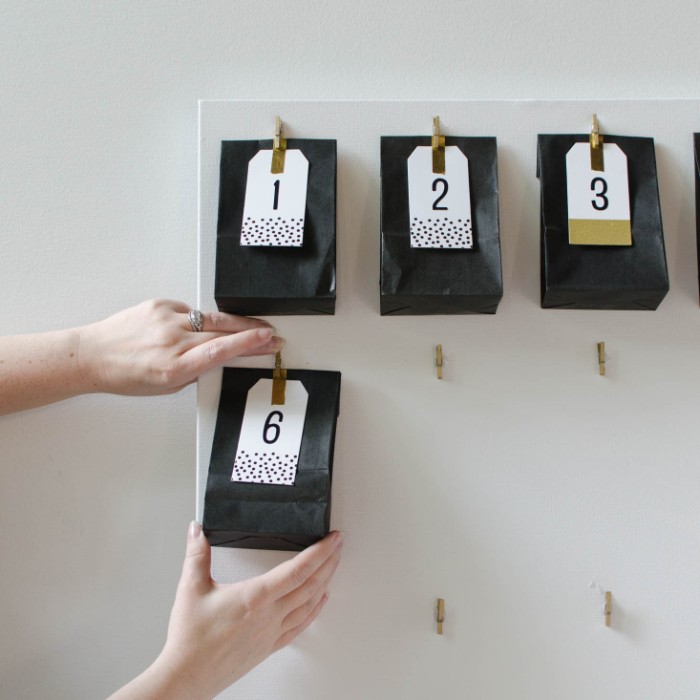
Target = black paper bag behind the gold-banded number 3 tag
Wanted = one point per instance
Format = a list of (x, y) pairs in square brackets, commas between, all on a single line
[(601, 277)]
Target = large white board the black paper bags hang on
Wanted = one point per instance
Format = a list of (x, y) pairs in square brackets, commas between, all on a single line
[(520, 477)]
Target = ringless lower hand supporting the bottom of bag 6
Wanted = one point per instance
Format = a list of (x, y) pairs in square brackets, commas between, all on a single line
[(219, 632)]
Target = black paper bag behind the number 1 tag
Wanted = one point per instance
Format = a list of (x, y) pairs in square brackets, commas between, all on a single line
[(277, 281)]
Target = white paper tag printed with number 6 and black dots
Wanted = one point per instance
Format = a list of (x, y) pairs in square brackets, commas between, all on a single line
[(268, 448)]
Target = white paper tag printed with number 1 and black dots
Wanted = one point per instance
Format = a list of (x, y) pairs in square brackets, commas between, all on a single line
[(275, 205)]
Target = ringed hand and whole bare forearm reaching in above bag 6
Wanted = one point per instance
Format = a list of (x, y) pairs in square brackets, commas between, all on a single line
[(147, 349)]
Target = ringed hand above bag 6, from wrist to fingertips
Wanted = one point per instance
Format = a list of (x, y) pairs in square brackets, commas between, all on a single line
[(152, 348)]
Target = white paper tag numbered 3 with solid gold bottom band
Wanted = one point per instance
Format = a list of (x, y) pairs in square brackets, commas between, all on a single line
[(598, 202)]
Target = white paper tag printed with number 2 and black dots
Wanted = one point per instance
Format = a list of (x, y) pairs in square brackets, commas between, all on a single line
[(439, 205)]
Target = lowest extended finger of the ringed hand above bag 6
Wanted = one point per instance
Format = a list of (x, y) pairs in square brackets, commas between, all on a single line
[(216, 351)]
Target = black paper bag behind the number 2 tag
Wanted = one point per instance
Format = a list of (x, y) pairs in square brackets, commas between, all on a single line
[(433, 281)]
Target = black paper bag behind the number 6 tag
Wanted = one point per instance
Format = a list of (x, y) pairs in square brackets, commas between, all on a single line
[(272, 516)]
